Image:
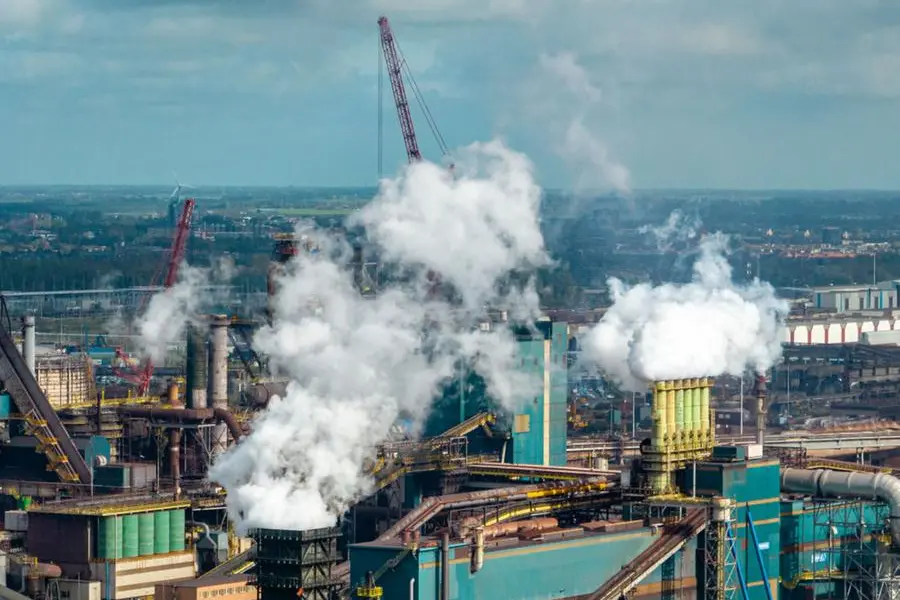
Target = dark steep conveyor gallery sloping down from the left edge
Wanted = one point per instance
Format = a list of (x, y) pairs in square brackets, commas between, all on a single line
[(54, 440)]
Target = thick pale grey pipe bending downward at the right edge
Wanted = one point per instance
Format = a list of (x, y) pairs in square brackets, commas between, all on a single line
[(838, 484)]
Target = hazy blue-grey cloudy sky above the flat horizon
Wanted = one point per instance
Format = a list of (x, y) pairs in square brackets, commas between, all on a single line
[(601, 94)]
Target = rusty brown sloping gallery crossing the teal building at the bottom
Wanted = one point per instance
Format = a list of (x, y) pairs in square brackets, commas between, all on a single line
[(674, 538)]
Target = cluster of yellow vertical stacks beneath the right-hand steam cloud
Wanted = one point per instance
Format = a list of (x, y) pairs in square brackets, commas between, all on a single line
[(682, 429)]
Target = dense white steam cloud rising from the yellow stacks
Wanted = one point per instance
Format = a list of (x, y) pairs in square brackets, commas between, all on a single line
[(708, 327)]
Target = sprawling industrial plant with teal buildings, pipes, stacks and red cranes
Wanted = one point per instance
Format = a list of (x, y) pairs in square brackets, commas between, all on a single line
[(107, 495)]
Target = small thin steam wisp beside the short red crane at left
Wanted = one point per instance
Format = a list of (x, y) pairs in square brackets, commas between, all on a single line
[(169, 311)]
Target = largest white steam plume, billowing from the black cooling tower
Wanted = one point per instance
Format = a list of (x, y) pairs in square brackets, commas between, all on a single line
[(357, 364)]
